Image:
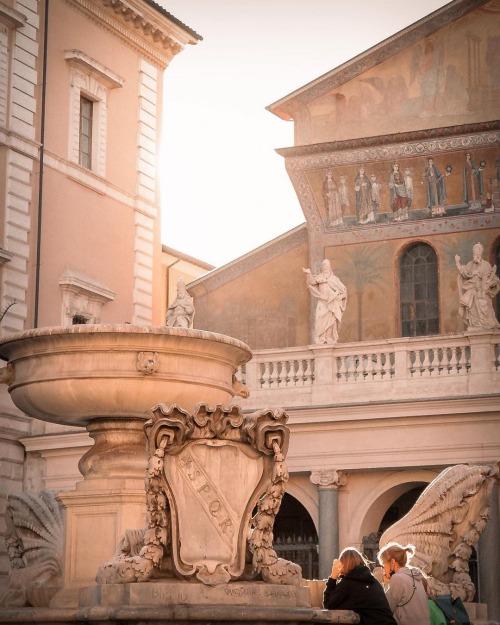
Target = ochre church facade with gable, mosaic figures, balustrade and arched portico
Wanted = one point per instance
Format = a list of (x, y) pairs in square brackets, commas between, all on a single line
[(396, 165)]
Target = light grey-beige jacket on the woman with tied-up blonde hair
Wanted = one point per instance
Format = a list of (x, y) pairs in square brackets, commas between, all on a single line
[(407, 598)]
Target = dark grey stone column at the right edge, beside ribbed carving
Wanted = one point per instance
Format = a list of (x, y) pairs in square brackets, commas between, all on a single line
[(489, 557)]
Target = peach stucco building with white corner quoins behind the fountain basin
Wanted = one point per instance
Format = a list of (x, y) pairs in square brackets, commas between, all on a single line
[(81, 90)]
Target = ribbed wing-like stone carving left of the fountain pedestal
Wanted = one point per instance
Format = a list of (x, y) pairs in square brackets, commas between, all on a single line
[(34, 541)]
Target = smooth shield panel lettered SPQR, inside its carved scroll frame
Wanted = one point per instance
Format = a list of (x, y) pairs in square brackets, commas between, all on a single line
[(214, 486)]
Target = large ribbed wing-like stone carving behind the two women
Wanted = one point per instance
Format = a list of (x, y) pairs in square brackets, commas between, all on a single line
[(445, 524)]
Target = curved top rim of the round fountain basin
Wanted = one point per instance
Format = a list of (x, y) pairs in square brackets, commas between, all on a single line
[(126, 329)]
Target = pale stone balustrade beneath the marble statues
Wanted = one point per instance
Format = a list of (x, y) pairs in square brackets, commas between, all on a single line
[(400, 369)]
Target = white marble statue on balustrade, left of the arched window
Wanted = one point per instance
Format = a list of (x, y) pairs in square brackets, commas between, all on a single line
[(331, 296)]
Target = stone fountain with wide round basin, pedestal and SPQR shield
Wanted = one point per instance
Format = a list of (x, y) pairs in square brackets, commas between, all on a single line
[(194, 541)]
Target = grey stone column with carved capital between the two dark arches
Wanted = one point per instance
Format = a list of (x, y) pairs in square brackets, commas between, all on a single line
[(328, 482)]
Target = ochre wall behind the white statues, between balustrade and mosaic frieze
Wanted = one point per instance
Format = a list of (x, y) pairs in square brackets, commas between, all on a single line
[(269, 306)]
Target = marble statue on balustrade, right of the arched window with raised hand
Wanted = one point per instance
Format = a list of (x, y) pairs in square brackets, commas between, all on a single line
[(478, 285)]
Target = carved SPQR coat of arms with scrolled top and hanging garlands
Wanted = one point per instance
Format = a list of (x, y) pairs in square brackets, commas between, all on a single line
[(186, 476)]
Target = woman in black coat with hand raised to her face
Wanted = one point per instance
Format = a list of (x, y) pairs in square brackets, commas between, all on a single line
[(353, 587)]
